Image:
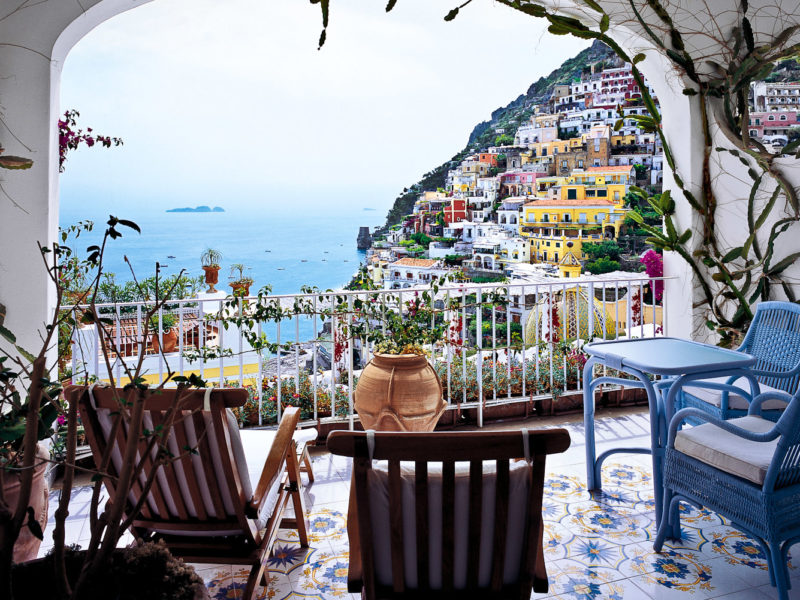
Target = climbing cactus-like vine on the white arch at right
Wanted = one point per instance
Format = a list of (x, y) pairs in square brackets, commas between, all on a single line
[(717, 54)]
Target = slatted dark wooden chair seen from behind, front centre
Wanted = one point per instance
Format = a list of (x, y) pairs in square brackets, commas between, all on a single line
[(471, 524)]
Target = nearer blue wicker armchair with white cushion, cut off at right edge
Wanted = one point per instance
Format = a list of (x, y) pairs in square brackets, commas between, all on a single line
[(746, 469)]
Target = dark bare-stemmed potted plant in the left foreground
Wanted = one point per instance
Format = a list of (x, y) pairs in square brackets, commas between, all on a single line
[(29, 404)]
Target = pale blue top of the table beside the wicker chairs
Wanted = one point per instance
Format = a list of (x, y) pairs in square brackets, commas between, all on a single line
[(667, 356)]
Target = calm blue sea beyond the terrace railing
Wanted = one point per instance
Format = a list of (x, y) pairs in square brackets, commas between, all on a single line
[(285, 246)]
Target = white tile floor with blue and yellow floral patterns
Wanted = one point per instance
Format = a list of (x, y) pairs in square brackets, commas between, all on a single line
[(596, 546)]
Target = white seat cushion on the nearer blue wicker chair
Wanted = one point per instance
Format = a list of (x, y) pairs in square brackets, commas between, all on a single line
[(729, 452)]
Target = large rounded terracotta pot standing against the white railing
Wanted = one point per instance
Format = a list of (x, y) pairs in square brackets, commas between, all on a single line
[(399, 393)]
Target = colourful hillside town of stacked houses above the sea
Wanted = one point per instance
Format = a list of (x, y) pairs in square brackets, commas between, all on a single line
[(550, 199)]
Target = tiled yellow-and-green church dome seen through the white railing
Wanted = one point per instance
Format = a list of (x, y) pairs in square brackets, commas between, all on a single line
[(576, 304)]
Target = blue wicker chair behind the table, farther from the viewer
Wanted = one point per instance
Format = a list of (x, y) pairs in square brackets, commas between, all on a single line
[(774, 339)]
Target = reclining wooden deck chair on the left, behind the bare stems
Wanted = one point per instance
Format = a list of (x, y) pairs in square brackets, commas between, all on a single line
[(215, 505)]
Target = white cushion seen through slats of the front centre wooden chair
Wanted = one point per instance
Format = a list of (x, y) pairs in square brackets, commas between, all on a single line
[(381, 534)]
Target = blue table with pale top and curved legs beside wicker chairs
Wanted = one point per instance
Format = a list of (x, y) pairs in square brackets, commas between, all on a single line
[(677, 362)]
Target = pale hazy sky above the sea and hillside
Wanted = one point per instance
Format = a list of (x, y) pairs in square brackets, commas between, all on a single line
[(225, 101)]
